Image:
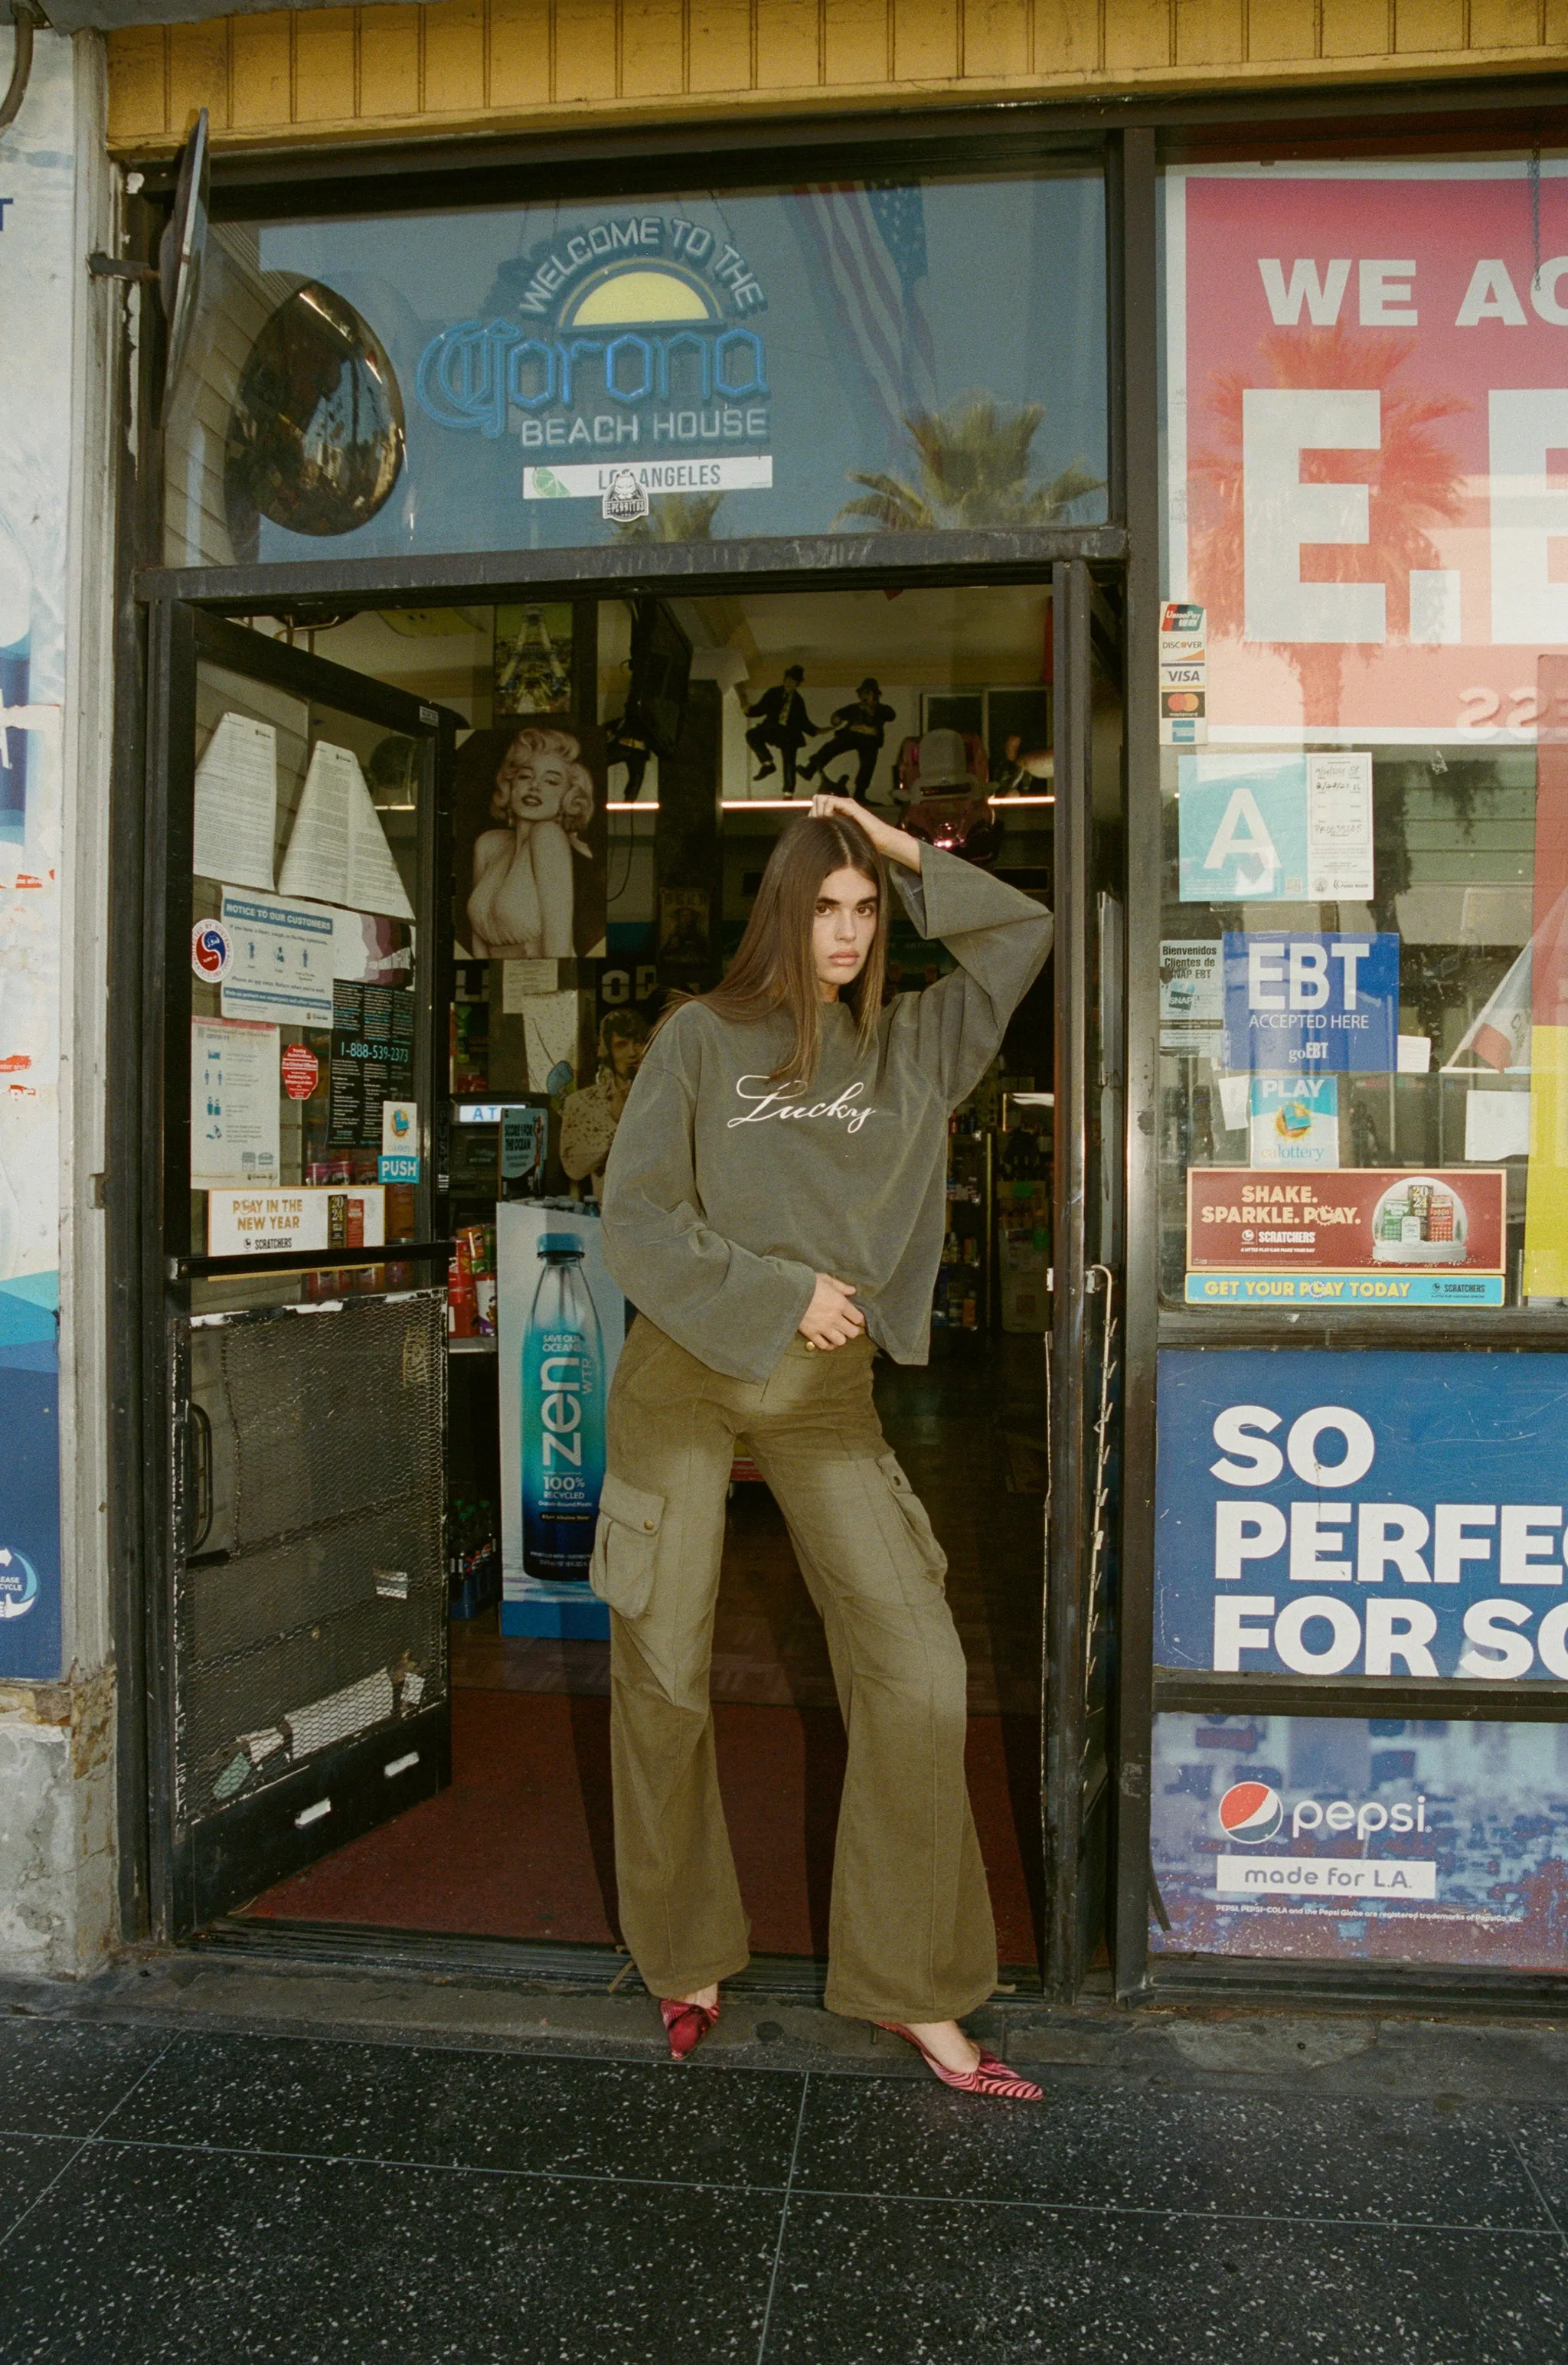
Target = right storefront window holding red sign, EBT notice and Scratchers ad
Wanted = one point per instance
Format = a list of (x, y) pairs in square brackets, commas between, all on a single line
[(1366, 737)]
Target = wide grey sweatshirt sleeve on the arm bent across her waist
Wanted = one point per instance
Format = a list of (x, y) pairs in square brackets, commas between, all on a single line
[(727, 1307)]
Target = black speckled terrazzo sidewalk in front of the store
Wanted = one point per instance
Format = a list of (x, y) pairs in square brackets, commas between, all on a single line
[(1236, 2189)]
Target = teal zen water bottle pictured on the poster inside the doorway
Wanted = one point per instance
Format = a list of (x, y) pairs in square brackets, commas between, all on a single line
[(564, 1415)]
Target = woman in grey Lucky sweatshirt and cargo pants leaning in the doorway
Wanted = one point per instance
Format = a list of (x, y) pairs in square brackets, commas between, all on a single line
[(775, 1205)]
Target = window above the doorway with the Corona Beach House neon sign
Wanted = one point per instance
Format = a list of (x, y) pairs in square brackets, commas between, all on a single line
[(803, 361)]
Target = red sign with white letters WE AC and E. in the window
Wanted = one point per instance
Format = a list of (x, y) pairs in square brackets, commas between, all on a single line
[(1368, 415)]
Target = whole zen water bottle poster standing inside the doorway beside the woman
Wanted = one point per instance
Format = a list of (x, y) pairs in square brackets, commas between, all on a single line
[(562, 1323)]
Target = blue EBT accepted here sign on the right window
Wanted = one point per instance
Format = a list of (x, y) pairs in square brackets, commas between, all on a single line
[(1328, 1004)]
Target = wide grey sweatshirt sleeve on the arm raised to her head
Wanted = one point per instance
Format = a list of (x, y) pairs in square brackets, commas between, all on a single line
[(999, 940)]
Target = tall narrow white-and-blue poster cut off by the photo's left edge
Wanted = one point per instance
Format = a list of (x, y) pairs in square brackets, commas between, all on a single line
[(41, 283)]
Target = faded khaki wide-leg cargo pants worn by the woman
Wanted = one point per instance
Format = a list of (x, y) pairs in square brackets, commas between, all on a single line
[(912, 1933)]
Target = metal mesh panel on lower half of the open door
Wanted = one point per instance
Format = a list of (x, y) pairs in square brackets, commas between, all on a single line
[(313, 1605)]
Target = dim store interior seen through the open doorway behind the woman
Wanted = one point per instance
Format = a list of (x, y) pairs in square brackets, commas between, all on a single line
[(678, 727)]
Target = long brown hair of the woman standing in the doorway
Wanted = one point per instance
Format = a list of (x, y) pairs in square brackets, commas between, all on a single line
[(775, 971)]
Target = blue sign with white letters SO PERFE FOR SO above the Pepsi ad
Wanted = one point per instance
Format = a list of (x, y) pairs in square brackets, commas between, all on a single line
[(1363, 1515)]
